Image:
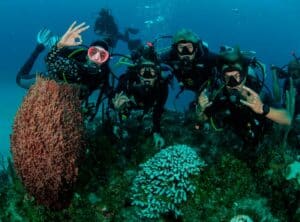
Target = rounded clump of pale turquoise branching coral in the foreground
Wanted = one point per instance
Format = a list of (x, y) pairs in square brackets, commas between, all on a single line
[(165, 181)]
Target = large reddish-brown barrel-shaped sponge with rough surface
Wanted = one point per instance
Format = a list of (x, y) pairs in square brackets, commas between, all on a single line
[(47, 141)]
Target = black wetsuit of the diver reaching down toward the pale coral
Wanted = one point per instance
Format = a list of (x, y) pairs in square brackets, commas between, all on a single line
[(145, 97)]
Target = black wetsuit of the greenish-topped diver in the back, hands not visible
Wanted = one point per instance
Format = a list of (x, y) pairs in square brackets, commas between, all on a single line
[(192, 74)]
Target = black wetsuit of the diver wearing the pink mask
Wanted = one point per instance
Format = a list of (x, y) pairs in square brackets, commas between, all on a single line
[(67, 66)]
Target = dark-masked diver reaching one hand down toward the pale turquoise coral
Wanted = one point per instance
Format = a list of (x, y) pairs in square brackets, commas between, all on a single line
[(143, 88)]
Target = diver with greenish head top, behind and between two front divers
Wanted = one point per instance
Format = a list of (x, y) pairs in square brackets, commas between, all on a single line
[(190, 60)]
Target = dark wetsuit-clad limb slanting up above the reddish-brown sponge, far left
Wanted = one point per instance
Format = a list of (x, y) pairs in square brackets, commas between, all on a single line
[(24, 73)]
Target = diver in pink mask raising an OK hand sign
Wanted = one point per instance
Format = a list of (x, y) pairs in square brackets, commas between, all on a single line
[(86, 66)]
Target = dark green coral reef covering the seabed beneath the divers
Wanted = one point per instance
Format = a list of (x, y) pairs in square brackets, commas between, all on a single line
[(232, 186)]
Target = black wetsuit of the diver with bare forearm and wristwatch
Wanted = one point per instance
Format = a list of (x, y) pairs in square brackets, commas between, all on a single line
[(227, 112)]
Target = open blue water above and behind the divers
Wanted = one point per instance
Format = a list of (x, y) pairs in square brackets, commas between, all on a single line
[(269, 27)]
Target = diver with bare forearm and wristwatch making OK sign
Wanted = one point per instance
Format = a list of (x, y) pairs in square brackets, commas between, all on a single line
[(240, 102)]
